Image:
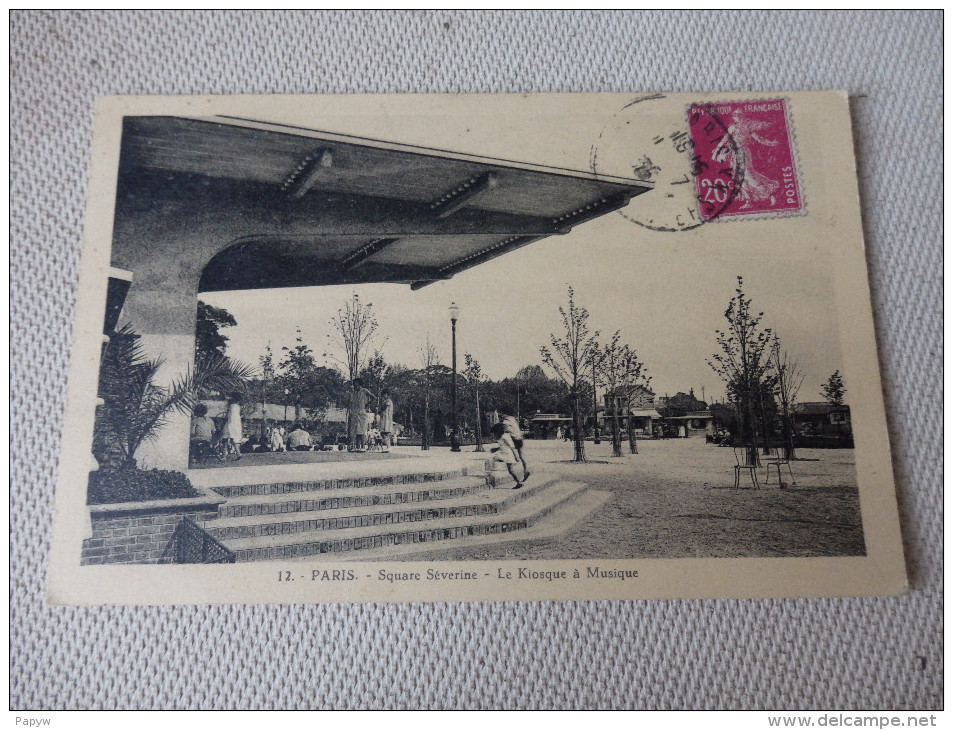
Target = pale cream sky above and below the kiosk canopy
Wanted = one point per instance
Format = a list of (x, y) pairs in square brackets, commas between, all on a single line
[(666, 292)]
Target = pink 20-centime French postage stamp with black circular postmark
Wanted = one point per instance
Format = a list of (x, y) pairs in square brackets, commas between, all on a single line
[(743, 159)]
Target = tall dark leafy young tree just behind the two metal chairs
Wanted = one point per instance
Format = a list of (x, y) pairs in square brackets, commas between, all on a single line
[(744, 363)]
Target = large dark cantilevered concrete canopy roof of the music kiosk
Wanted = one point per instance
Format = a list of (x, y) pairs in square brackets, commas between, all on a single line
[(296, 207)]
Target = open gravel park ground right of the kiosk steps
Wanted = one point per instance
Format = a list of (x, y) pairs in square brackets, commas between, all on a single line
[(675, 499)]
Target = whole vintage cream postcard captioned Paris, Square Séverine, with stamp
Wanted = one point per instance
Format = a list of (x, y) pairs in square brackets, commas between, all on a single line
[(465, 348)]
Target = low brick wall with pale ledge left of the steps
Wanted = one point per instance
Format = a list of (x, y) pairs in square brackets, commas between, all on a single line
[(138, 532)]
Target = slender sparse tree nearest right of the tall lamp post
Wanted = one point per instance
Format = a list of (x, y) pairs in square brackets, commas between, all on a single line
[(569, 356)]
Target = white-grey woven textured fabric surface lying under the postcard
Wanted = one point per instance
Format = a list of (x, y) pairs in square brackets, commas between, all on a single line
[(769, 654)]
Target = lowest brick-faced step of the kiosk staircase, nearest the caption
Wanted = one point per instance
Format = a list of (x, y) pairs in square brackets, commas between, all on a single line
[(302, 544)]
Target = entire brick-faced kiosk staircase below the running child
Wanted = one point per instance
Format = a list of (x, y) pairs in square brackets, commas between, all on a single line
[(384, 516)]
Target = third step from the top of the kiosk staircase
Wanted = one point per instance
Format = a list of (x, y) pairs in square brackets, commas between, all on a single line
[(486, 502)]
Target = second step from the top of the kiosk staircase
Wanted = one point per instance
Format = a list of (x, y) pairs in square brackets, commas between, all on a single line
[(333, 499)]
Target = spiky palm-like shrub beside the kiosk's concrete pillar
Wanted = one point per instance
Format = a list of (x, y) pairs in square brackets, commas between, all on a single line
[(135, 409)]
